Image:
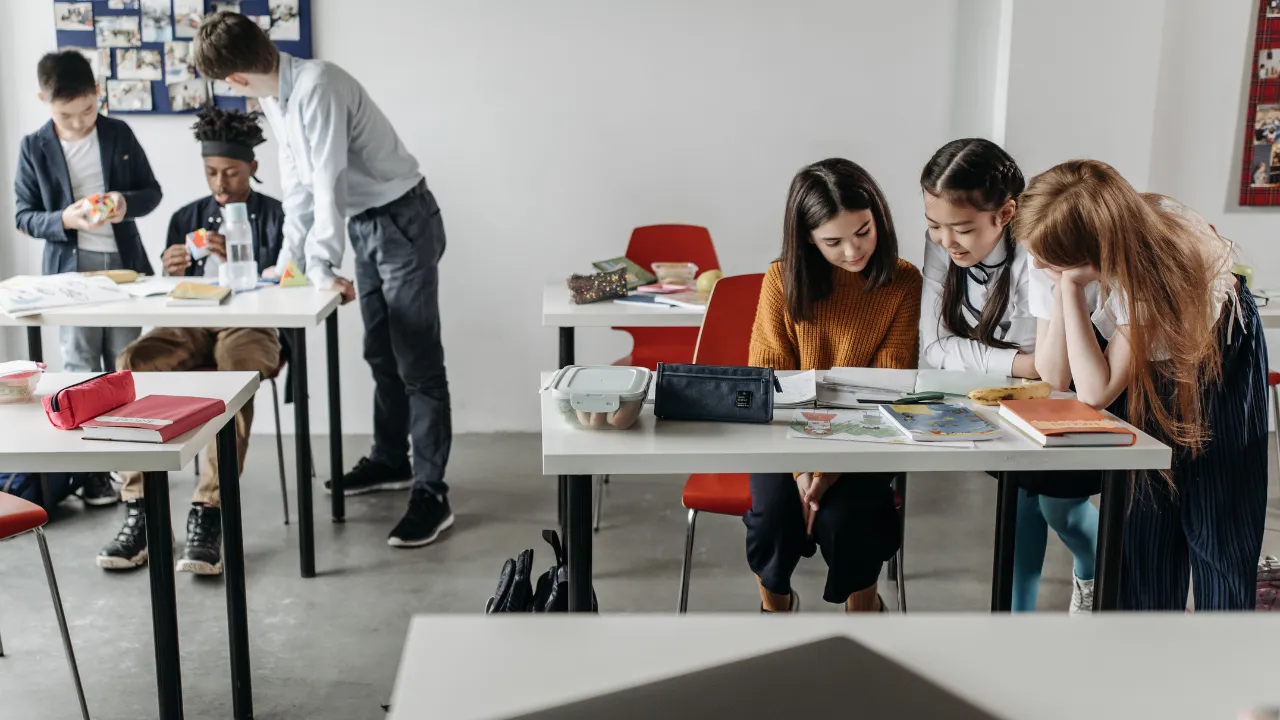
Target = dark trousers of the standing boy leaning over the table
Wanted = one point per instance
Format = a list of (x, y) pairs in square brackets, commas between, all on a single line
[(399, 249)]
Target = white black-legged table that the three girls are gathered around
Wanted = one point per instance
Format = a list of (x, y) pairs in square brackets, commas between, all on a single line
[(674, 448)]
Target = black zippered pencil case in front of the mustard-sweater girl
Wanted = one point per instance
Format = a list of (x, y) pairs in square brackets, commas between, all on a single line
[(715, 394)]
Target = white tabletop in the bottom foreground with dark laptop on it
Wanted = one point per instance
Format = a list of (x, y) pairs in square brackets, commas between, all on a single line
[(1026, 668)]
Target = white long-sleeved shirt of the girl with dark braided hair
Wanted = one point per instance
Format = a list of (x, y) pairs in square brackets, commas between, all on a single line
[(944, 349)]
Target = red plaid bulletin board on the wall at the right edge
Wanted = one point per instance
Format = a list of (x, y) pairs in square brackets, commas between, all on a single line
[(1260, 184)]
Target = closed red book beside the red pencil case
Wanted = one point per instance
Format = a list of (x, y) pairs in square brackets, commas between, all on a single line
[(156, 418)]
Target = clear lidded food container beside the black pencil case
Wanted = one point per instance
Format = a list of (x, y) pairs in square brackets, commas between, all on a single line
[(601, 398)]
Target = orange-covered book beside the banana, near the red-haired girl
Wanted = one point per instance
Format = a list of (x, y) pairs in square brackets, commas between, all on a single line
[(1066, 423)]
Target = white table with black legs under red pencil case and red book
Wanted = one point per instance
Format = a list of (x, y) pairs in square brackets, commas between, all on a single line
[(30, 444)]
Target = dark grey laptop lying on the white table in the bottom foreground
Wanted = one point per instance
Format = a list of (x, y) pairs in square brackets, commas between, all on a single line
[(830, 678)]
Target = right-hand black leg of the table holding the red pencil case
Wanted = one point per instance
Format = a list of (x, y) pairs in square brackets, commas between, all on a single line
[(234, 566)]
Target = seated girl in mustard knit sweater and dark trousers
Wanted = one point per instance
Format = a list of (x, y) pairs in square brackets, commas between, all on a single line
[(839, 298)]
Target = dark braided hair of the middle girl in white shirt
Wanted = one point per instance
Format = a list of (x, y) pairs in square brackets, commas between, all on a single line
[(976, 174)]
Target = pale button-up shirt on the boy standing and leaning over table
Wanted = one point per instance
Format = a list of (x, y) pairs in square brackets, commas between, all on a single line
[(340, 157)]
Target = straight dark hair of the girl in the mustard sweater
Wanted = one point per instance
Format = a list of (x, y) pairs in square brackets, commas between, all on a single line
[(819, 194)]
